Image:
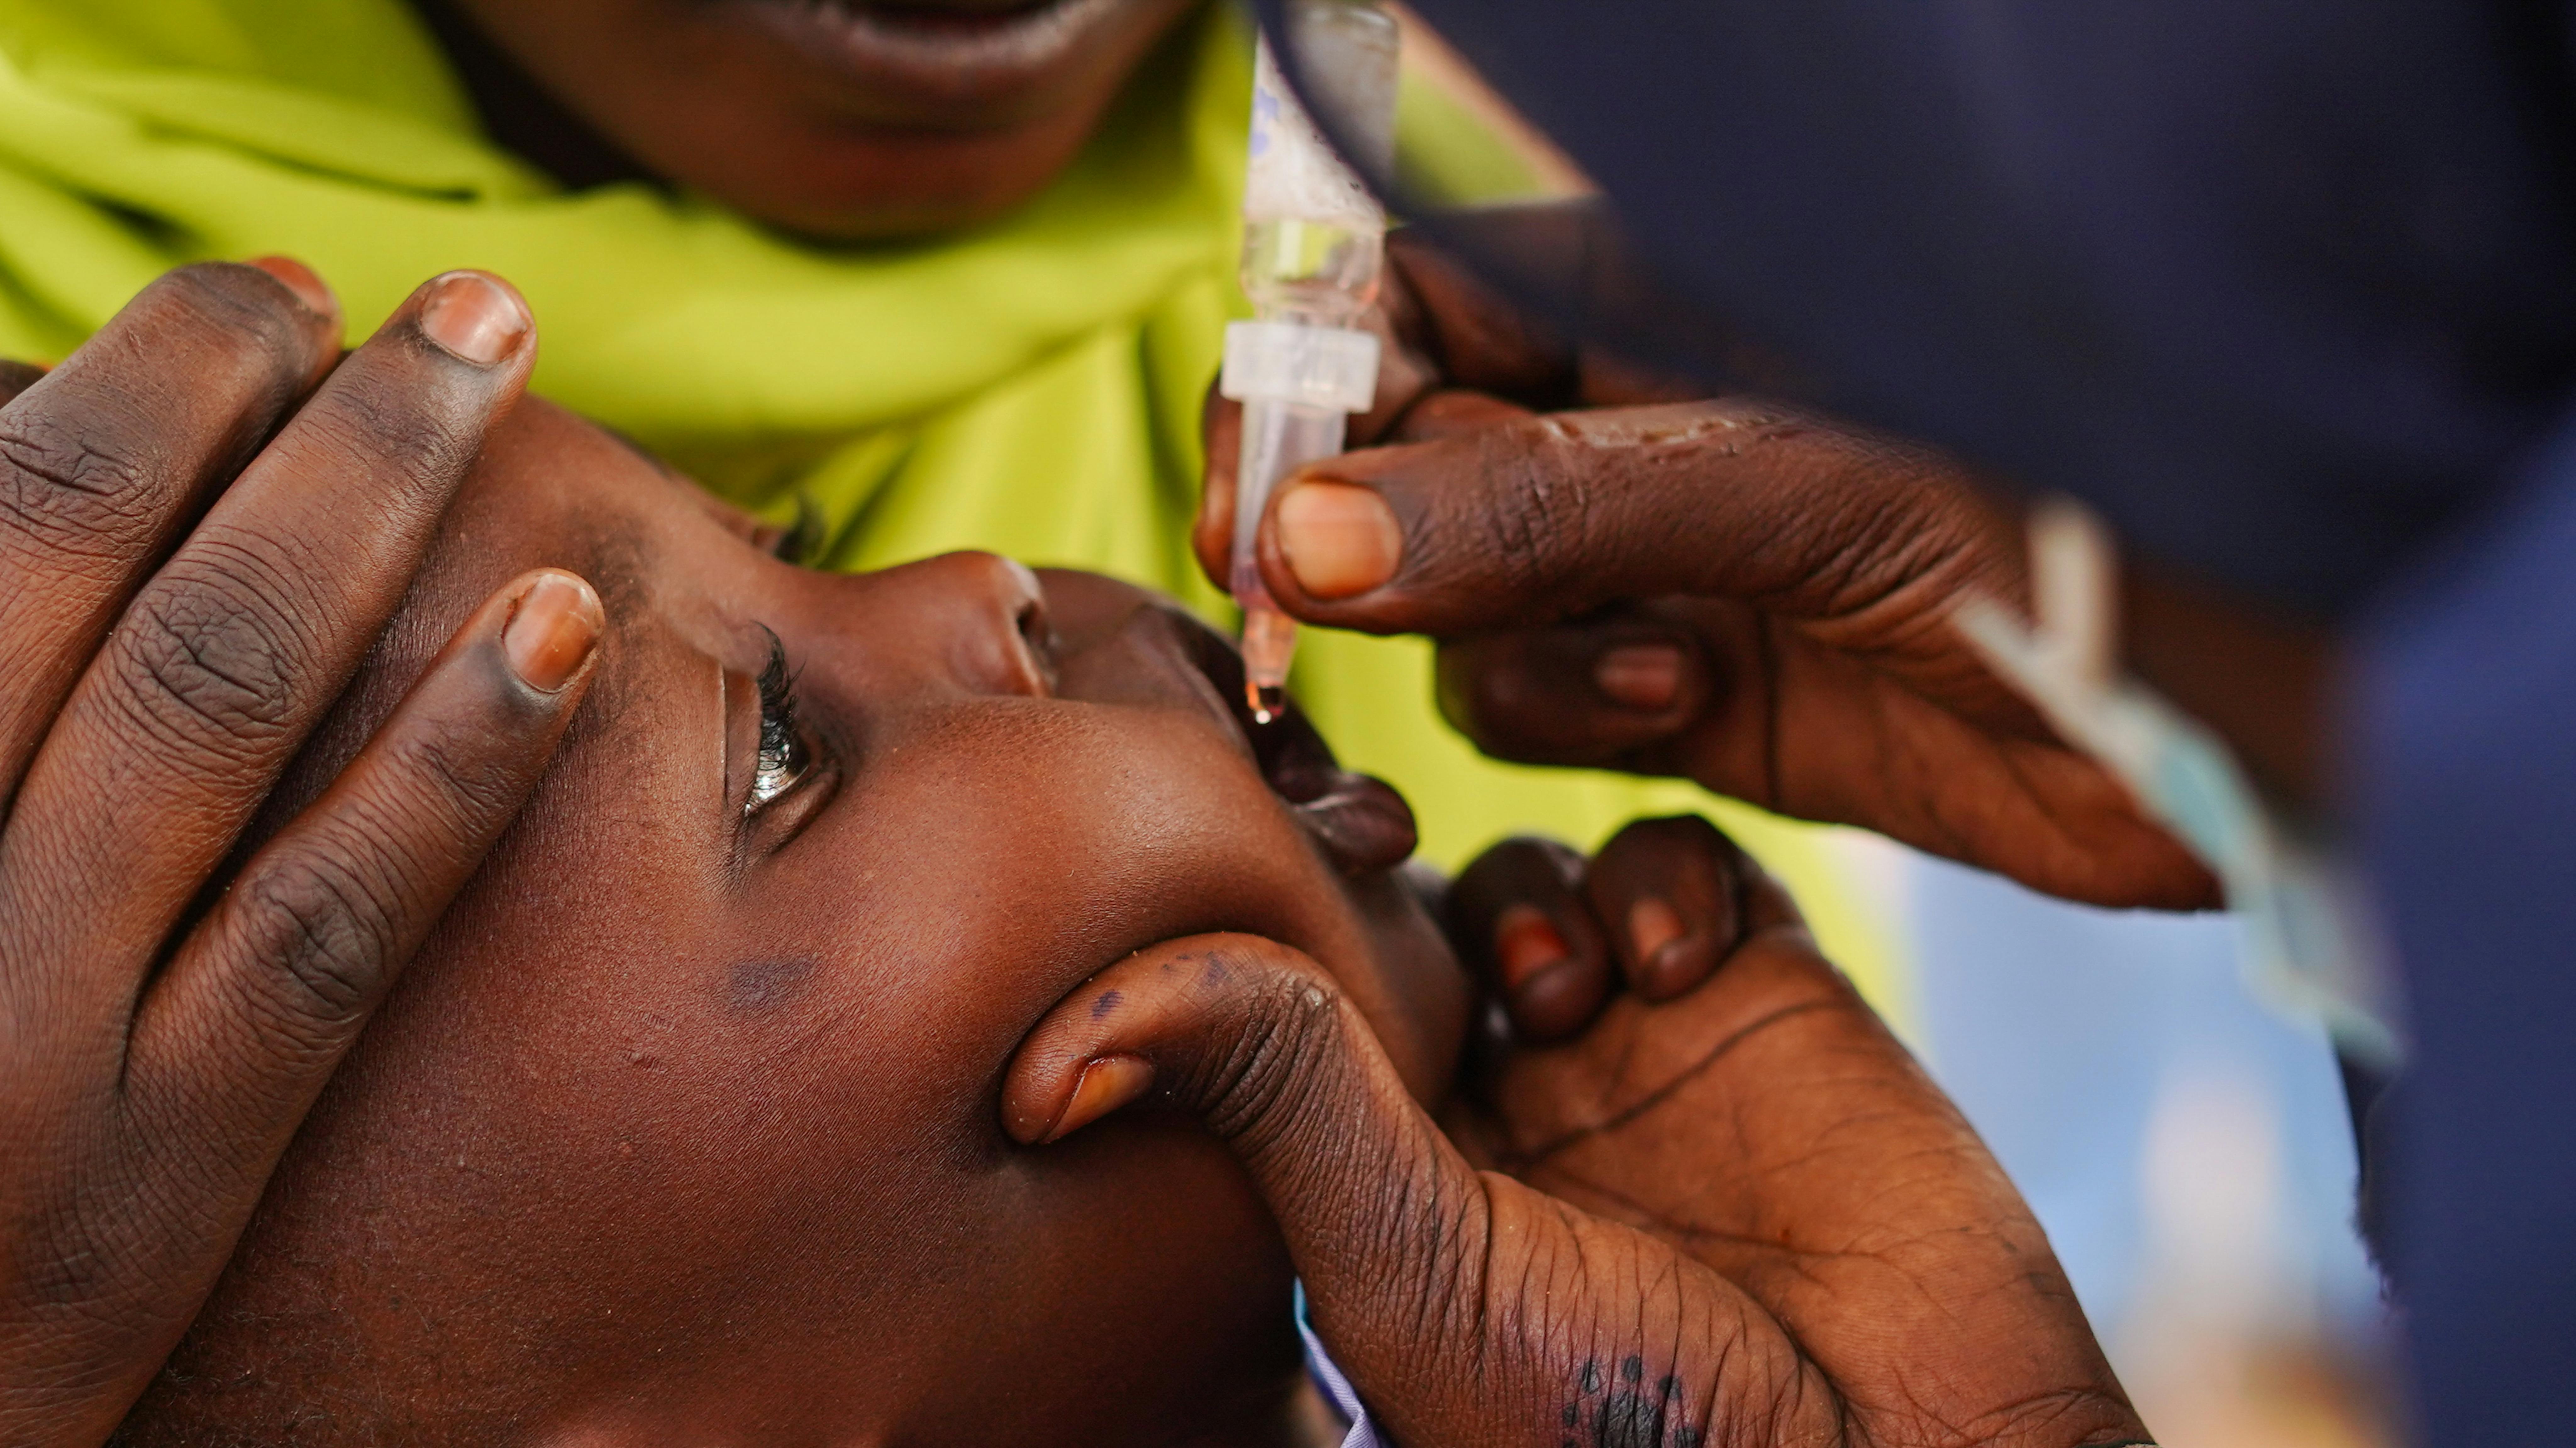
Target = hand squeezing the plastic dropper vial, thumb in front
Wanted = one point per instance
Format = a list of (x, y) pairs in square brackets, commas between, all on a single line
[(1743, 594)]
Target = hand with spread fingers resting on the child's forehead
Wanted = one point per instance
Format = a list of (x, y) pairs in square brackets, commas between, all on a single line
[(207, 522)]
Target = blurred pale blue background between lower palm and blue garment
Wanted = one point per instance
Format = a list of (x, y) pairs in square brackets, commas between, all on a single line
[(2186, 1148)]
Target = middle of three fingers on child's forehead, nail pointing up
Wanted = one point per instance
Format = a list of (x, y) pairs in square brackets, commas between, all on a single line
[(231, 653)]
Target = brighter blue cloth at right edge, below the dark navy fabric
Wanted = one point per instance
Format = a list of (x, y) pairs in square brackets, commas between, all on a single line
[(2469, 810)]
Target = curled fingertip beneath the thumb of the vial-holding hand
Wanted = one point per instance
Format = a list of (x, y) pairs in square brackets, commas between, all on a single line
[(1596, 694)]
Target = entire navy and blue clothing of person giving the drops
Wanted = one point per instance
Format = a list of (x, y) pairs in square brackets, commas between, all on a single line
[(2286, 290)]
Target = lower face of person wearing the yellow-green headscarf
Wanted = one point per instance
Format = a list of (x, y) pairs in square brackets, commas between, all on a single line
[(838, 117)]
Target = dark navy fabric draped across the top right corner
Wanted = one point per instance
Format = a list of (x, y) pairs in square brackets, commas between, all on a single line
[(2273, 285)]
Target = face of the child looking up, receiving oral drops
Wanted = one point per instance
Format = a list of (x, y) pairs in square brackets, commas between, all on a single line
[(687, 1122)]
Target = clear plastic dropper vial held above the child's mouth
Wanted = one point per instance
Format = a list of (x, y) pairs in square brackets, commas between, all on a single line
[(1315, 243)]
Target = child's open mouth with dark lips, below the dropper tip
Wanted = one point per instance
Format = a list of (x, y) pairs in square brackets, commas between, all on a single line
[(1359, 821)]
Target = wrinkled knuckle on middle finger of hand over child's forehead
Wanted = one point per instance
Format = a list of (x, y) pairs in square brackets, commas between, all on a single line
[(210, 658)]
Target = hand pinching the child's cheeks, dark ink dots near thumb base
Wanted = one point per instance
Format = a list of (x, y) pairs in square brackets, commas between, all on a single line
[(1740, 1215)]
